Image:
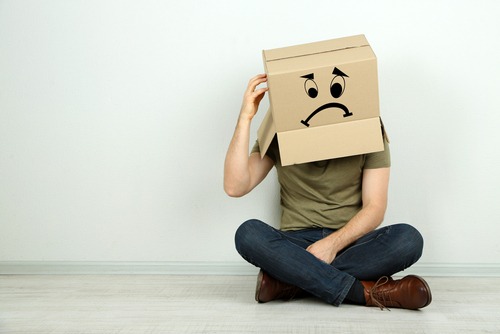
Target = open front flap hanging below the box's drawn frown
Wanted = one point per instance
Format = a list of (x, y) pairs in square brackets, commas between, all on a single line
[(330, 141)]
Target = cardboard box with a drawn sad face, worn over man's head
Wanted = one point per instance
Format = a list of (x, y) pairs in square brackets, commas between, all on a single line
[(323, 100)]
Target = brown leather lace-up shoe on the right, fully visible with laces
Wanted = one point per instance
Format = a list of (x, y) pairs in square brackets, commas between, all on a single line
[(411, 292)]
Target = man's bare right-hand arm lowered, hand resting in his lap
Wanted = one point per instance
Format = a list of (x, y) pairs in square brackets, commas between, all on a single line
[(374, 195)]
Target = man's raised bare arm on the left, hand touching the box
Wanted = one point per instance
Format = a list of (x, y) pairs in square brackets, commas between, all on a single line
[(242, 172)]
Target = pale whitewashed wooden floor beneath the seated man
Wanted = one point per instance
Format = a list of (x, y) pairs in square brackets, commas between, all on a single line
[(224, 304)]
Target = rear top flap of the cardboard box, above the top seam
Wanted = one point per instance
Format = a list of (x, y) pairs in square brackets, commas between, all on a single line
[(314, 48)]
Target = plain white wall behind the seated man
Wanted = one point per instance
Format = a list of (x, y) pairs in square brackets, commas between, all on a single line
[(115, 117)]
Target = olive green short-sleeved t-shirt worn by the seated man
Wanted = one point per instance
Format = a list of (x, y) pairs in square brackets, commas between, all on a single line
[(323, 194)]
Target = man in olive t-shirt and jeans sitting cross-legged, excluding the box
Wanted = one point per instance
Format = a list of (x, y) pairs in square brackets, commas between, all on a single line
[(328, 245)]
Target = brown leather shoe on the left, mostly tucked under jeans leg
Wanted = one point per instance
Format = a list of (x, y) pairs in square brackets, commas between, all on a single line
[(269, 288)]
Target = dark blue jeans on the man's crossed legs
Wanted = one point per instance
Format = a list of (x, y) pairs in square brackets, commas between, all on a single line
[(283, 255)]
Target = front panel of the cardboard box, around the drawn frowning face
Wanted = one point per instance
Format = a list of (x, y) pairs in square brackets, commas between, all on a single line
[(291, 105)]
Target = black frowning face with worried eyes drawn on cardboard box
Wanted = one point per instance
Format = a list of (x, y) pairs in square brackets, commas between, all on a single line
[(336, 89)]
